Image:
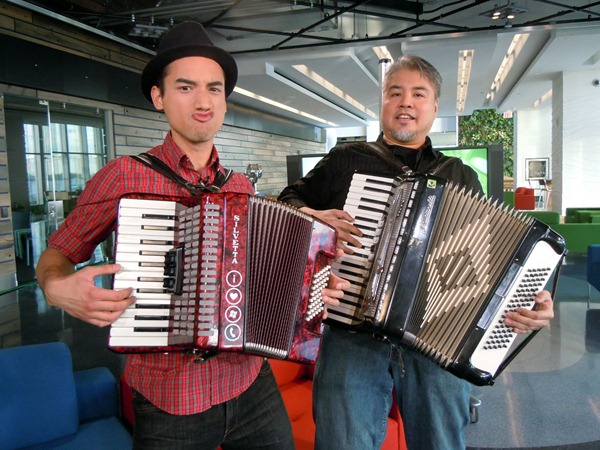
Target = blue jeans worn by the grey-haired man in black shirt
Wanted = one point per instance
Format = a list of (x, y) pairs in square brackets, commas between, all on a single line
[(352, 395)]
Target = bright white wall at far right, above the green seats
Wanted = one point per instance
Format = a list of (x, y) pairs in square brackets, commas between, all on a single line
[(567, 130)]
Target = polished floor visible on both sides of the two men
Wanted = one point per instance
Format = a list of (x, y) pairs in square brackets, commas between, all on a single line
[(549, 397)]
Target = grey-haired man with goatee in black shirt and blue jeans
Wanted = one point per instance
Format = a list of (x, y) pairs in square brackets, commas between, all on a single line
[(356, 374)]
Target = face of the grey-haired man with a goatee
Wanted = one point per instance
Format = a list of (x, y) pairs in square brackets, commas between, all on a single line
[(408, 109)]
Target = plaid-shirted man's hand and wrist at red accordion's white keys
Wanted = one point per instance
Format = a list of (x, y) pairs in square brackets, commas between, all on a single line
[(77, 294)]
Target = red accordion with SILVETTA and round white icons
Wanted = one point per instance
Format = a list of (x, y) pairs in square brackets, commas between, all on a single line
[(221, 272)]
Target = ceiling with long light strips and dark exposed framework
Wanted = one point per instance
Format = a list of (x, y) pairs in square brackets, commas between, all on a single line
[(335, 40)]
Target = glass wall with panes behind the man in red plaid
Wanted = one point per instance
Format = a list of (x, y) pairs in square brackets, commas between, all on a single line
[(53, 149)]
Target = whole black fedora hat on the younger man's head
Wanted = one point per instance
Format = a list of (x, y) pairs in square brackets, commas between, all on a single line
[(181, 41)]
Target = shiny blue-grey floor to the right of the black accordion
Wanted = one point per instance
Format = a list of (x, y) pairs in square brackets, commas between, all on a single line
[(549, 396)]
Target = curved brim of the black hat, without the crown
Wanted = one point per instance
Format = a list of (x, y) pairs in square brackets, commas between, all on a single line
[(155, 66)]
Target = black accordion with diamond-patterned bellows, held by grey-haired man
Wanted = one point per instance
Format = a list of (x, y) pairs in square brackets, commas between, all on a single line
[(439, 268)]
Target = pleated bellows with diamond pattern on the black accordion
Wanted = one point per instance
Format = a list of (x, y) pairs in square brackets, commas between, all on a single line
[(469, 242)]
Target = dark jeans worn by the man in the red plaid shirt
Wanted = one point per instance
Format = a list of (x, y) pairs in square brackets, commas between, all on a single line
[(257, 419)]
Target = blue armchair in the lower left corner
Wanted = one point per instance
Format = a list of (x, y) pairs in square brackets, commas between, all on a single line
[(44, 404)]
